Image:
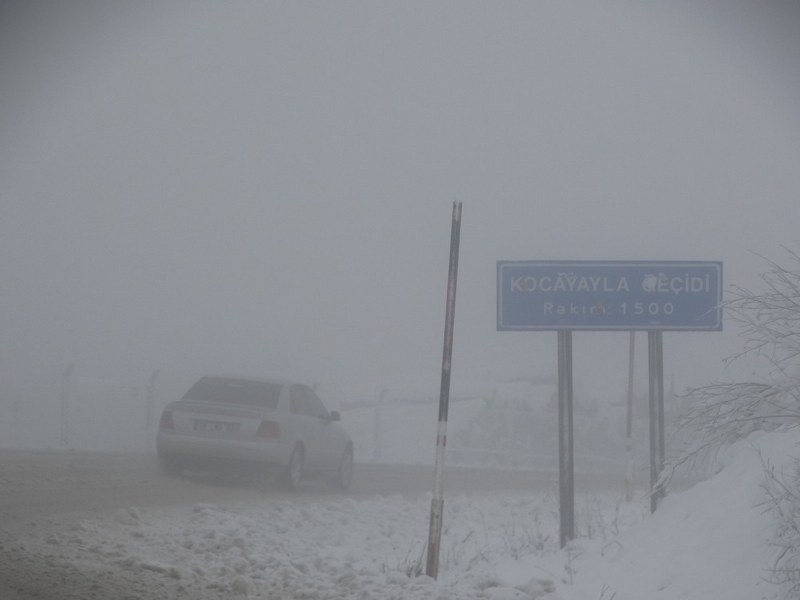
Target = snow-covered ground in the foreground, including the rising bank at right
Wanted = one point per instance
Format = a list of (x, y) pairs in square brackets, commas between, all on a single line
[(709, 542)]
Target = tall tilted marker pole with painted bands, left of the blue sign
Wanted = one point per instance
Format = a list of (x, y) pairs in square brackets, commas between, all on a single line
[(437, 502)]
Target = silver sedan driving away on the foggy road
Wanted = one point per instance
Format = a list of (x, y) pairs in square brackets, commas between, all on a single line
[(271, 424)]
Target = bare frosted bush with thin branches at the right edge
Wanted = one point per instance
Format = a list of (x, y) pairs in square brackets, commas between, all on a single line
[(722, 413)]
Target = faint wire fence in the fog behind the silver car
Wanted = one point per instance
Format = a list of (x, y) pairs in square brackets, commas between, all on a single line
[(83, 410)]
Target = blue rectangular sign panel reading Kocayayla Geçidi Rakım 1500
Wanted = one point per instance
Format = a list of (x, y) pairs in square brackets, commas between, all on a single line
[(610, 295)]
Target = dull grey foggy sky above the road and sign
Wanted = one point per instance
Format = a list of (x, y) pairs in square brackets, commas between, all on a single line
[(266, 186)]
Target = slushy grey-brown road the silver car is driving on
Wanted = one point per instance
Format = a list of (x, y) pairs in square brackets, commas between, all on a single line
[(39, 489)]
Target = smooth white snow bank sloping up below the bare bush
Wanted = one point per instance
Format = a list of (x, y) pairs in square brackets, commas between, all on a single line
[(711, 541)]
